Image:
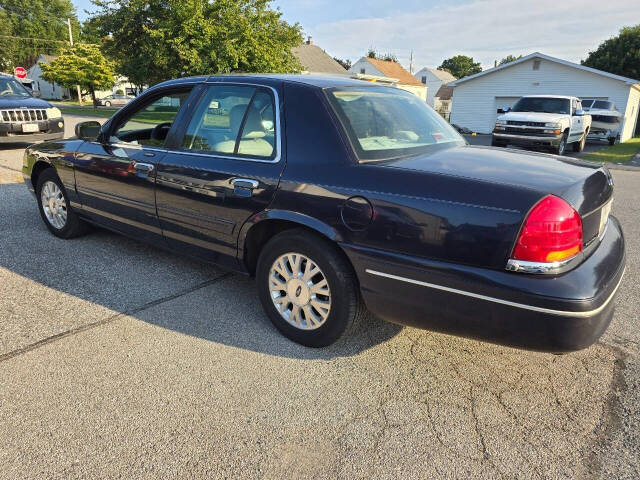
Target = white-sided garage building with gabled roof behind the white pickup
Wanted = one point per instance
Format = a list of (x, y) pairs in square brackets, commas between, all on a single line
[(477, 98)]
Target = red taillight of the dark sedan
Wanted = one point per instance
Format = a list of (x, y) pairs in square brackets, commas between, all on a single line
[(552, 232)]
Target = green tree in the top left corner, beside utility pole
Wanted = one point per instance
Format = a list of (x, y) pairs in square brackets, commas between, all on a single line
[(33, 27)]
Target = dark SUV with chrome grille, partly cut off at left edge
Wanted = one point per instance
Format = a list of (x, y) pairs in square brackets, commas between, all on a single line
[(25, 119)]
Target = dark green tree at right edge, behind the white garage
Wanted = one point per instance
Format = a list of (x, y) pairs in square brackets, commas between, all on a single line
[(618, 55)]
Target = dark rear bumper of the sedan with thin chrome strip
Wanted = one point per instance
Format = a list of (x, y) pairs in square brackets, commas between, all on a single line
[(553, 313)]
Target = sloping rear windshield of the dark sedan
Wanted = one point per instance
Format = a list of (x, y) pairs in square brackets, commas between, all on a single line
[(385, 122)]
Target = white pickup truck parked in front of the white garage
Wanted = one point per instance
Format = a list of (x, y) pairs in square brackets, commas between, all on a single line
[(543, 121)]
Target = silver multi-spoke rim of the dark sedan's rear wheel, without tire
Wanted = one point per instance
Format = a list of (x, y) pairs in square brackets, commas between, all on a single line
[(300, 291)]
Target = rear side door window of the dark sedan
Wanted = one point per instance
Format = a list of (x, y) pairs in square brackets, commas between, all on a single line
[(233, 120)]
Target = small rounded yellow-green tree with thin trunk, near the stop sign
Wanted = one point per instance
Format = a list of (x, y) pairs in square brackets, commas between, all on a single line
[(82, 65)]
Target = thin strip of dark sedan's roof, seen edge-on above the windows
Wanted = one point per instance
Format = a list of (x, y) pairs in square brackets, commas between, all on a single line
[(320, 81)]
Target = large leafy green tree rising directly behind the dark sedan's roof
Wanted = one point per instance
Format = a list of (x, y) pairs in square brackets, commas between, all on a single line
[(154, 40)]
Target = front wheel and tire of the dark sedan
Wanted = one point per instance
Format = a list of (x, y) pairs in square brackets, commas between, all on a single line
[(55, 208)]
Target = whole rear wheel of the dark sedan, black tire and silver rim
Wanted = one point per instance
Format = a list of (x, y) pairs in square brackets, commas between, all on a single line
[(307, 288)]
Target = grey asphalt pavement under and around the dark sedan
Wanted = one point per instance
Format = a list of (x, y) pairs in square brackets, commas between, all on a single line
[(122, 360)]
